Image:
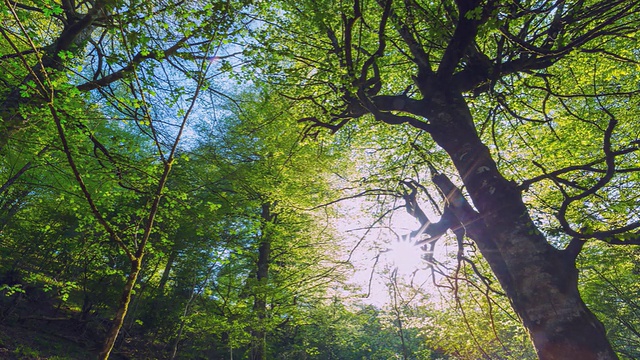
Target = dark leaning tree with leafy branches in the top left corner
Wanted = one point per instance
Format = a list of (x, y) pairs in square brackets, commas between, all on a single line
[(98, 44)]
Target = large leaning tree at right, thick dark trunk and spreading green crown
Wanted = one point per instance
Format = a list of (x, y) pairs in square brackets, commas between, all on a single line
[(534, 104)]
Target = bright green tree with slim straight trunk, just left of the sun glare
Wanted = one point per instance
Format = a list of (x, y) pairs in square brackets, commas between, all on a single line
[(267, 184)]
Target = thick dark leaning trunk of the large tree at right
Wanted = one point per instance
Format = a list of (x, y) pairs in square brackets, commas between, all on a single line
[(540, 280)]
